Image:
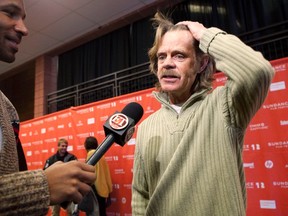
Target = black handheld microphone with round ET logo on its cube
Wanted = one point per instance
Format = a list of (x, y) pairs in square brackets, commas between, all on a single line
[(118, 128)]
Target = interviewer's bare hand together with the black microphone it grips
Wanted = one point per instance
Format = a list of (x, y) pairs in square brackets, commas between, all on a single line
[(71, 181)]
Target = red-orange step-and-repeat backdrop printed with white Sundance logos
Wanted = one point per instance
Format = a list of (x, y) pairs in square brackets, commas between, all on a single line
[(265, 148)]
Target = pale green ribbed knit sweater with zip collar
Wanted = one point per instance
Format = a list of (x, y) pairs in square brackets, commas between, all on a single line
[(190, 164)]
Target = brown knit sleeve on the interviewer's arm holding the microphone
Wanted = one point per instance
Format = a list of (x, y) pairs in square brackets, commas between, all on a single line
[(24, 193)]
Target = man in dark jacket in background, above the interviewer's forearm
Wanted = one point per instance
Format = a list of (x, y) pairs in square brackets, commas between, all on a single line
[(61, 155)]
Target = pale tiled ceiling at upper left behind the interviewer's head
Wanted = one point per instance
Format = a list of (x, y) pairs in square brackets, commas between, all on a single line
[(54, 23)]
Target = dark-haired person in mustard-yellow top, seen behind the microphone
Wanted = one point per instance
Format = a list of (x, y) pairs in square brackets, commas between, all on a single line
[(103, 184)]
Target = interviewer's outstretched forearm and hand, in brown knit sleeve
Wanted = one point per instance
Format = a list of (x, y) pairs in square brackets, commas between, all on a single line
[(31, 192)]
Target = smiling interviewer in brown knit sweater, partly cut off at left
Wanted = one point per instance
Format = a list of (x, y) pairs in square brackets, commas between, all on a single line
[(29, 192)]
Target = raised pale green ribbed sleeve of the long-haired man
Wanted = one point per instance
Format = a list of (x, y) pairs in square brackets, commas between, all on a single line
[(249, 74)]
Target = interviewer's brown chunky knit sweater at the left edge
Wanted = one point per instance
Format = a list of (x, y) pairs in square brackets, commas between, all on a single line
[(21, 193)]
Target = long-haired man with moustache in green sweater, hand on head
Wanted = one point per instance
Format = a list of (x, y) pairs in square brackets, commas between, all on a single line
[(188, 155)]
